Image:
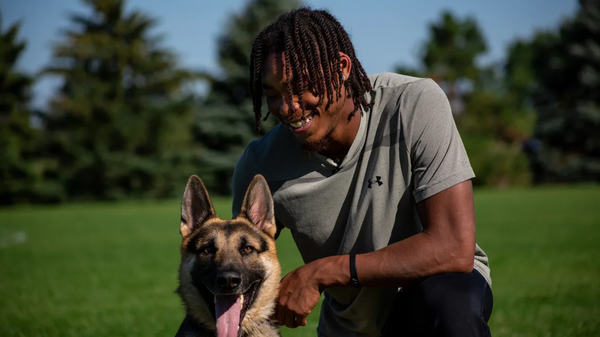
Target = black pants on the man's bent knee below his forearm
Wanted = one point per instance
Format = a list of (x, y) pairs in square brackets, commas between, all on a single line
[(443, 305)]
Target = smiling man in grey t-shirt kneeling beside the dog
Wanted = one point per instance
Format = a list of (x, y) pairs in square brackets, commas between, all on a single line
[(372, 179)]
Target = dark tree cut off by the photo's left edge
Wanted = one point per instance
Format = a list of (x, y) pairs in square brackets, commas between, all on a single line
[(20, 169)]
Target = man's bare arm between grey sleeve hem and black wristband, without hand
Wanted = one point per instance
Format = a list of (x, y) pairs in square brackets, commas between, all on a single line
[(446, 245)]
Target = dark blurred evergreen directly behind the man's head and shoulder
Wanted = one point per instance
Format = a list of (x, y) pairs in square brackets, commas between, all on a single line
[(225, 124)]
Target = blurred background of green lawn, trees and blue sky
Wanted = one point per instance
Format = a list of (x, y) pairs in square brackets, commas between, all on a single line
[(107, 107)]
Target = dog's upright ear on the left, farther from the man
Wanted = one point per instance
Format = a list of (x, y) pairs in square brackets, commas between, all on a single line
[(196, 207)]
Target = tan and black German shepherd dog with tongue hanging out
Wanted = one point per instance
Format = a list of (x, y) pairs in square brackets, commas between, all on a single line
[(229, 273)]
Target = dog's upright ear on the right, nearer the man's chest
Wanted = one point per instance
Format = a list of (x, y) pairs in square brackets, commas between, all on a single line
[(258, 206)]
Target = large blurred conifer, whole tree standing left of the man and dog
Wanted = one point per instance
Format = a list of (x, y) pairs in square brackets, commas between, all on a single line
[(120, 124)]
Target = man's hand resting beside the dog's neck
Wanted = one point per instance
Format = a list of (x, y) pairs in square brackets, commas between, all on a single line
[(299, 292)]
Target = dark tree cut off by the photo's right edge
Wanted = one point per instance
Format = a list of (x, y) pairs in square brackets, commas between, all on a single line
[(565, 94)]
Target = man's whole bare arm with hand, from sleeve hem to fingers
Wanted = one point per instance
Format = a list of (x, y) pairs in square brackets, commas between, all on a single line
[(446, 245)]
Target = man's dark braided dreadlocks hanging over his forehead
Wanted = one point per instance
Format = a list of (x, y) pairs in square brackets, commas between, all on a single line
[(310, 41)]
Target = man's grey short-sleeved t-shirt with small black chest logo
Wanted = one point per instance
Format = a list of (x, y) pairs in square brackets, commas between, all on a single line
[(407, 149)]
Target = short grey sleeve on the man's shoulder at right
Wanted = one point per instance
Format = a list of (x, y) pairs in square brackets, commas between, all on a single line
[(438, 157)]
